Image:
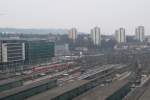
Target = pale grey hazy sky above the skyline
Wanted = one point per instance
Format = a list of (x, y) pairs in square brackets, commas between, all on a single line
[(82, 14)]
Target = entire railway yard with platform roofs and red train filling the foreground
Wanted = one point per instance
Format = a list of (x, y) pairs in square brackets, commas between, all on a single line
[(73, 81)]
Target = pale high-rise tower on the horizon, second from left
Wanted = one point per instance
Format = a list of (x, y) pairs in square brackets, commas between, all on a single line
[(96, 36)]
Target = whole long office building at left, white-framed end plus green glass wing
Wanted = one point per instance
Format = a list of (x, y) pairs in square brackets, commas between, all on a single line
[(16, 54)]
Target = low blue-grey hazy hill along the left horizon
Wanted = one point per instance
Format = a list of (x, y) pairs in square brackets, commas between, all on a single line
[(33, 31)]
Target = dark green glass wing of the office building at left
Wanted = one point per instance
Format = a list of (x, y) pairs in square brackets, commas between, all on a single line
[(38, 52)]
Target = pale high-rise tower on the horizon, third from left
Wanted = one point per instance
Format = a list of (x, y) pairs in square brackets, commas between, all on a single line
[(120, 35)]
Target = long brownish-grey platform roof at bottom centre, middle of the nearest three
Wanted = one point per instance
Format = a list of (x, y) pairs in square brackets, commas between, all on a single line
[(57, 91)]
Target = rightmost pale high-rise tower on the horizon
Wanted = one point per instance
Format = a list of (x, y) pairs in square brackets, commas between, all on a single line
[(139, 33)]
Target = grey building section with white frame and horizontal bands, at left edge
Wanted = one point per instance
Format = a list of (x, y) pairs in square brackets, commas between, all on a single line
[(12, 55)]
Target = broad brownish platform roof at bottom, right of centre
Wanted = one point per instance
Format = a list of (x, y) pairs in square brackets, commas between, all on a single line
[(102, 92)]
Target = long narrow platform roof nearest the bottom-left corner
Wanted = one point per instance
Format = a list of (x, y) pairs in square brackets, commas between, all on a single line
[(22, 88)]
